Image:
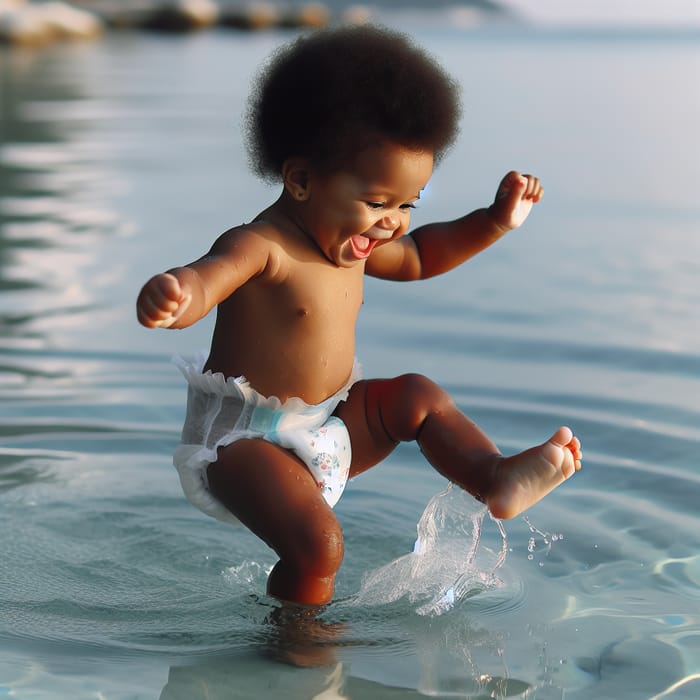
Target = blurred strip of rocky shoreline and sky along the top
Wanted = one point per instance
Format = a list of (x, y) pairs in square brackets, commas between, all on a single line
[(36, 23)]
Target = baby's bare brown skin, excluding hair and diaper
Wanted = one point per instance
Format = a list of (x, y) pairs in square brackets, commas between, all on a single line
[(288, 290)]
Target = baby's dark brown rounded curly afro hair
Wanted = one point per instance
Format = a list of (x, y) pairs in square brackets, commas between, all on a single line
[(330, 94)]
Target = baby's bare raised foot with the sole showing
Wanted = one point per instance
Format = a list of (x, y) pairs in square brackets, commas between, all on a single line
[(523, 479)]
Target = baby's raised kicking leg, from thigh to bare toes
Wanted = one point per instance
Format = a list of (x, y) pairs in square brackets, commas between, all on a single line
[(383, 412)]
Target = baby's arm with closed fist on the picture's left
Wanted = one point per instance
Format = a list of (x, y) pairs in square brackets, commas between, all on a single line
[(181, 296)]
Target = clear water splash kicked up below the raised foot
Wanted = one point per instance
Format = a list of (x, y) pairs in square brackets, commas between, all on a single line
[(449, 562)]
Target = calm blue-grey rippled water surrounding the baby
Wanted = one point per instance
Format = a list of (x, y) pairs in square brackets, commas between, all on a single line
[(122, 157)]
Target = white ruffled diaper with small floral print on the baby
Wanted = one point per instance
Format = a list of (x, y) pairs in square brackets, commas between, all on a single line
[(222, 410)]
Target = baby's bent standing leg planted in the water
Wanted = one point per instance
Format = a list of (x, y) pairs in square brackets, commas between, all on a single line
[(272, 492)]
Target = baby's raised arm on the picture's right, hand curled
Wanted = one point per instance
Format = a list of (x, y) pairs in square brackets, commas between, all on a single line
[(436, 248)]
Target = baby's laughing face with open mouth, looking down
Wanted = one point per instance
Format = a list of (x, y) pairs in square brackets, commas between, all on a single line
[(368, 204)]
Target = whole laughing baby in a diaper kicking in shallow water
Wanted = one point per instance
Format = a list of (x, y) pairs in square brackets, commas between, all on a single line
[(350, 122)]
